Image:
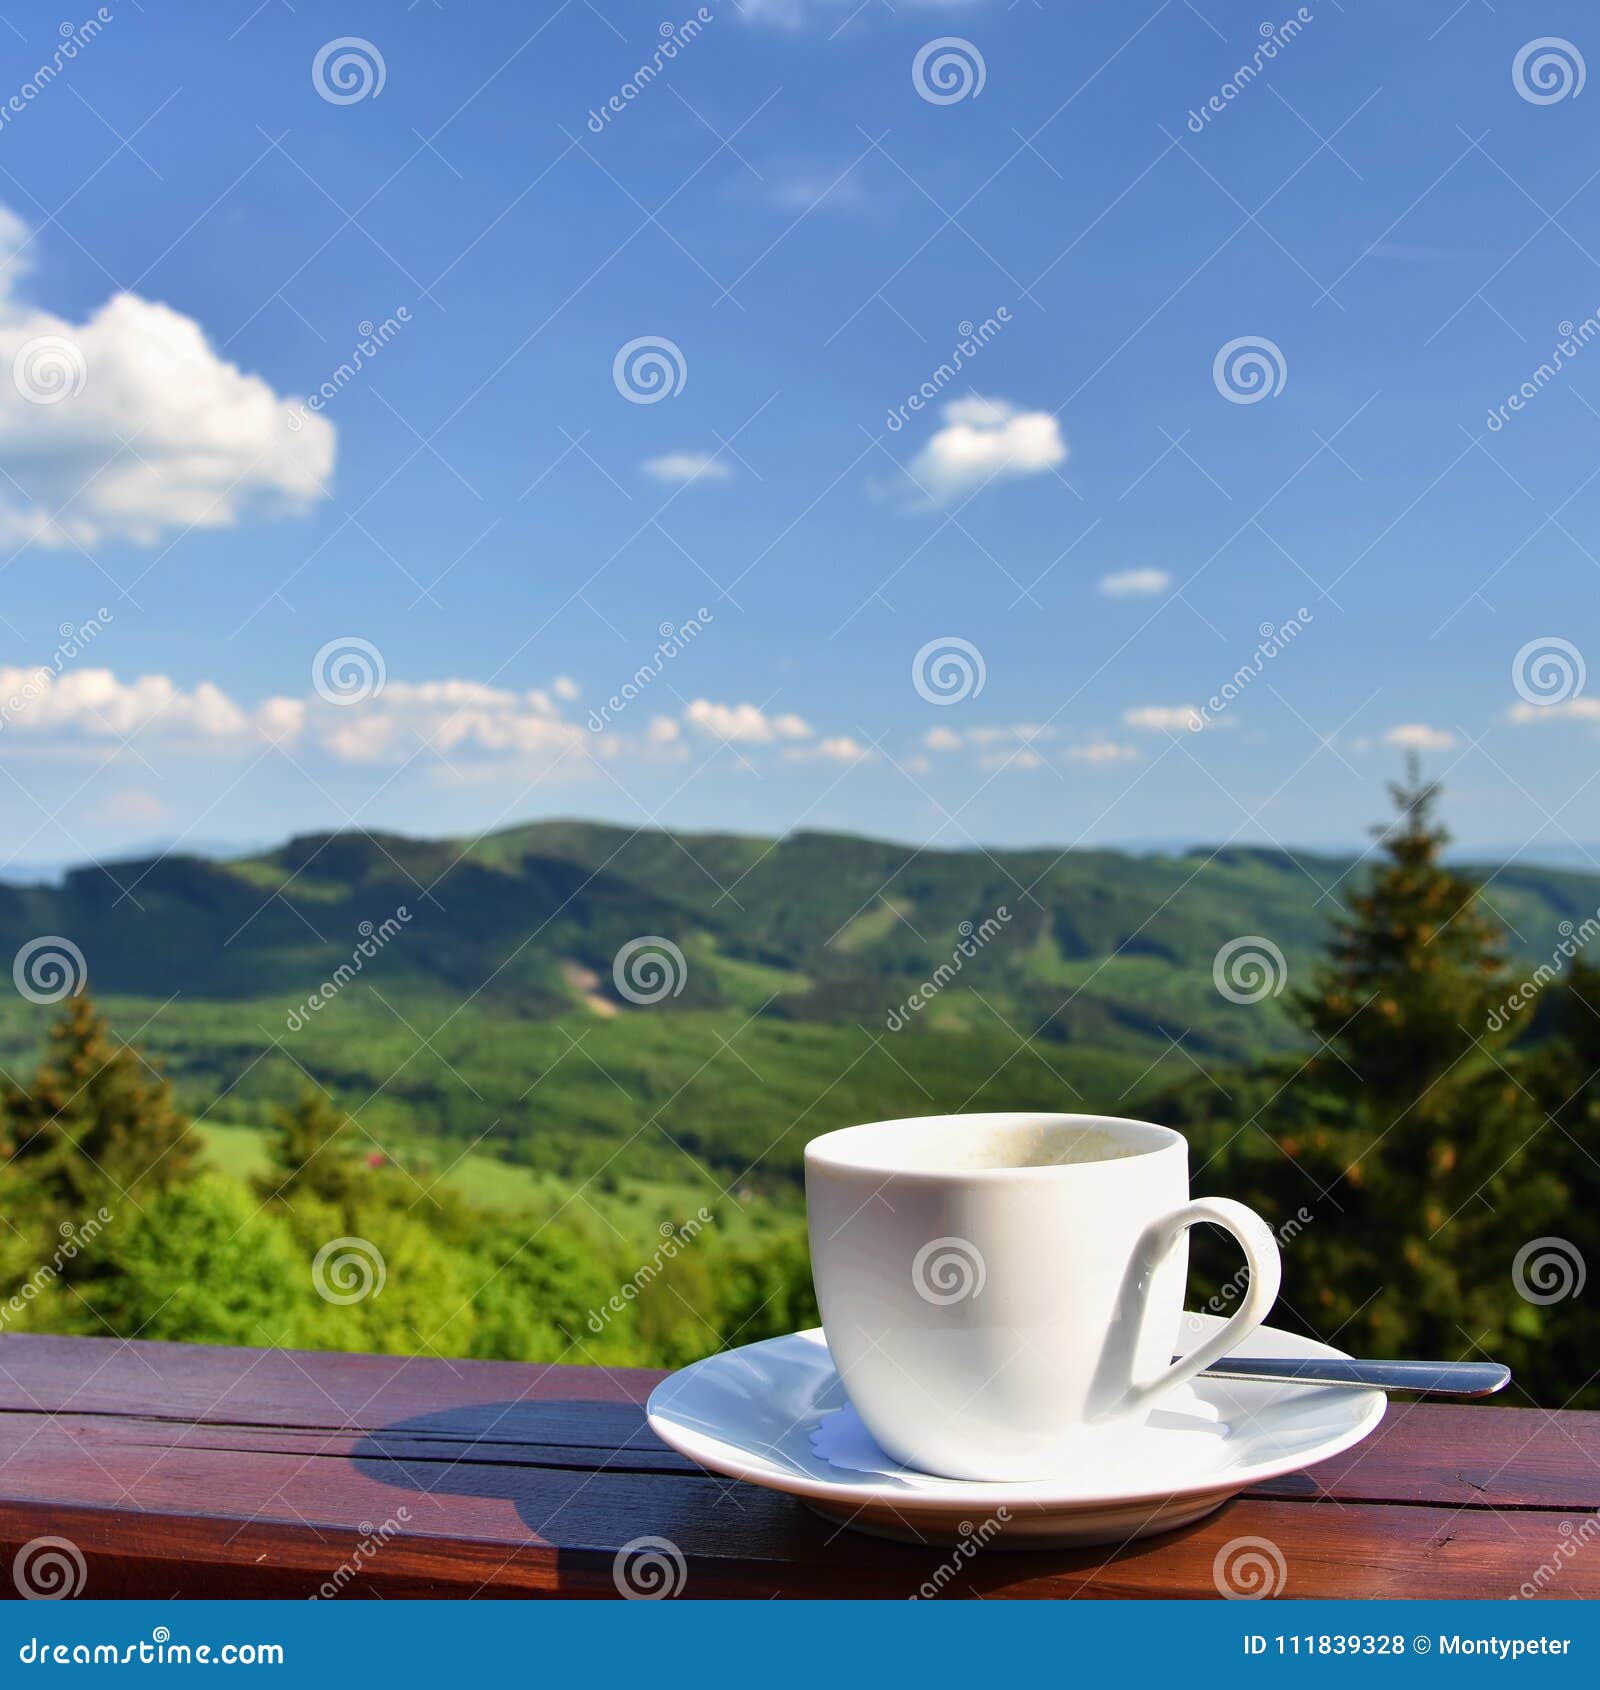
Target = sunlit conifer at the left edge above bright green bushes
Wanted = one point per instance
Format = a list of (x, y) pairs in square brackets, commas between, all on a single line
[(97, 1125)]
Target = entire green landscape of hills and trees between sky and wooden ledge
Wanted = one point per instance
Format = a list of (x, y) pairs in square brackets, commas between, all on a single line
[(545, 1096)]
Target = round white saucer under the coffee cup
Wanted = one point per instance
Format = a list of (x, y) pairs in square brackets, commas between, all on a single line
[(776, 1415)]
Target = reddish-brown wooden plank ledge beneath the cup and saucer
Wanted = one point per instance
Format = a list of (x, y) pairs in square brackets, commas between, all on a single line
[(190, 1471)]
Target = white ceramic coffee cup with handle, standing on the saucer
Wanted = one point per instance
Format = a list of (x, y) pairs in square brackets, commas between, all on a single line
[(1001, 1290)]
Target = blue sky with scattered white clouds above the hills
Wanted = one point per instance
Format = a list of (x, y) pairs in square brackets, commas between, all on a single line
[(197, 236)]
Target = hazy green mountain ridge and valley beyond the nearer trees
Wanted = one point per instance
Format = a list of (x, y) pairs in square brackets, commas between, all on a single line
[(471, 989)]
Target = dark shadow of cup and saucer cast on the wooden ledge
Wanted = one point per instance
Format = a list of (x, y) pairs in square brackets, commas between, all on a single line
[(589, 1478)]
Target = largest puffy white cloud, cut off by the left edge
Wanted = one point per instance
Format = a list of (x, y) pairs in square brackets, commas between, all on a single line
[(129, 425)]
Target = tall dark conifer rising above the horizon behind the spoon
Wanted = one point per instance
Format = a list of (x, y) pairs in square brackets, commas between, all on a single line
[(1410, 1116)]
